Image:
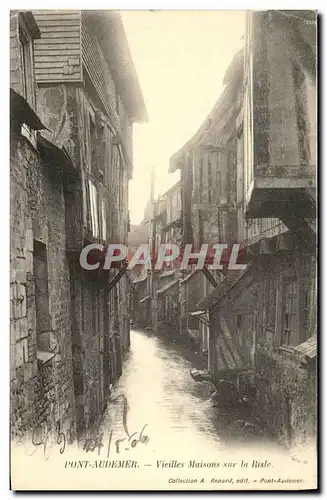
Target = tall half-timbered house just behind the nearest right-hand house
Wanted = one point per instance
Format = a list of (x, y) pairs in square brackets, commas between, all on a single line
[(209, 195)]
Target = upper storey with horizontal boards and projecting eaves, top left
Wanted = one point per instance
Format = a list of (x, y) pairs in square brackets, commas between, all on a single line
[(73, 41)]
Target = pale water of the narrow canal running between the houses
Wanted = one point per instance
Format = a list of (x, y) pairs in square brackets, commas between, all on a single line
[(157, 394)]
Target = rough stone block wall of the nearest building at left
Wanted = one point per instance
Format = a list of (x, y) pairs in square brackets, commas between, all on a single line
[(42, 392)]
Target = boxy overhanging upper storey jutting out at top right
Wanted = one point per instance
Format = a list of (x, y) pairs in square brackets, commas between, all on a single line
[(280, 112)]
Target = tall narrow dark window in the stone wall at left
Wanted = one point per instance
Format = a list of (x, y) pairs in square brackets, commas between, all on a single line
[(40, 268)]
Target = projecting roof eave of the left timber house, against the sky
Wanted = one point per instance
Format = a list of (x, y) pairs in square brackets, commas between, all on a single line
[(111, 33)]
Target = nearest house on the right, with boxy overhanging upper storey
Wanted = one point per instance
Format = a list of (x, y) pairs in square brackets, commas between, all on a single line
[(269, 311)]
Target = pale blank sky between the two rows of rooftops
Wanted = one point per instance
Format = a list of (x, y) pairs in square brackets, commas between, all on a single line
[(180, 58)]
